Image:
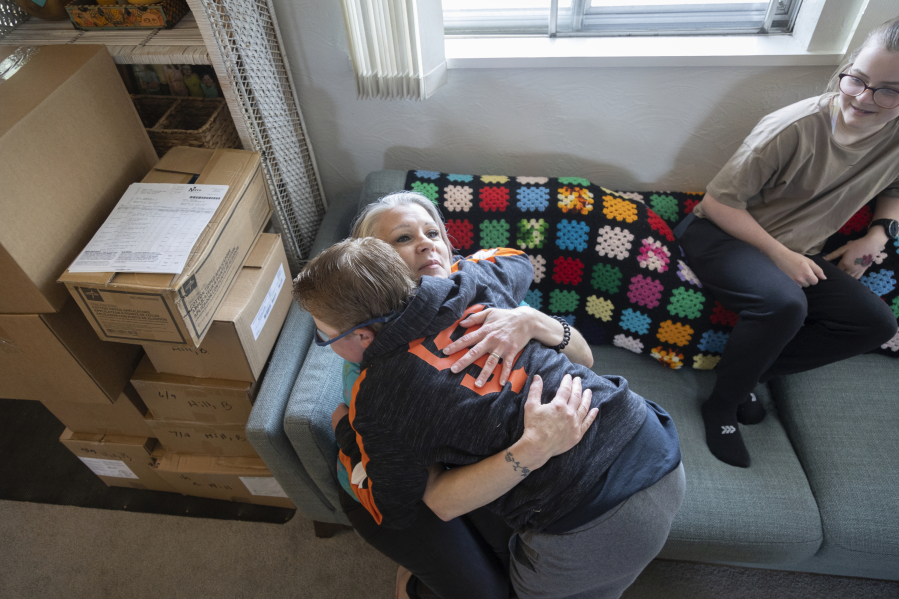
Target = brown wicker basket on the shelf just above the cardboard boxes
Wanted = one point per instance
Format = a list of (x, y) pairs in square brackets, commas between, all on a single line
[(186, 121)]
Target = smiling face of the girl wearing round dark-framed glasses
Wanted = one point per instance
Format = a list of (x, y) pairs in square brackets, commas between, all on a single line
[(877, 67)]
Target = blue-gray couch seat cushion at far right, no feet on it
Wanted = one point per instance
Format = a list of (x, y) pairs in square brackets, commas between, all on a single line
[(844, 423)]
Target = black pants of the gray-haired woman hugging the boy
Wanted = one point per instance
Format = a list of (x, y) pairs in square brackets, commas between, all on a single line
[(465, 558)]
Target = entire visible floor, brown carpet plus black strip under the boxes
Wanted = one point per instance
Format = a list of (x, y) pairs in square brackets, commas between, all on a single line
[(53, 543)]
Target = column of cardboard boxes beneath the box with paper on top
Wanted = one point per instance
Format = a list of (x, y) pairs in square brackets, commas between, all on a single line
[(200, 398)]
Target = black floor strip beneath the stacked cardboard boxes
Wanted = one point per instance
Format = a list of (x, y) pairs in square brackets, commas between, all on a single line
[(35, 466)]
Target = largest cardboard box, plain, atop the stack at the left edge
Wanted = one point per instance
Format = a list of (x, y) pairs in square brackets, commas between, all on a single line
[(71, 143)]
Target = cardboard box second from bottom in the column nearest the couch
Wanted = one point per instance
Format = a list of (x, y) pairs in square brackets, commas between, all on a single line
[(202, 439)]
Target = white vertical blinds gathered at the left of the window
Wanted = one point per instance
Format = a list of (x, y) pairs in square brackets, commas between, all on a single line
[(396, 47)]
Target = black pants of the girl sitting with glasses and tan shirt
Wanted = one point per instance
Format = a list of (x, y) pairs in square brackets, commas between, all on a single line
[(782, 328)]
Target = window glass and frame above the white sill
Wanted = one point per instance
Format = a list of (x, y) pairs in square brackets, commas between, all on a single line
[(594, 18)]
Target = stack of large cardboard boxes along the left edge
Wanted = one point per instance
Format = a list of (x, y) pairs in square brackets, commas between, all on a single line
[(71, 143)]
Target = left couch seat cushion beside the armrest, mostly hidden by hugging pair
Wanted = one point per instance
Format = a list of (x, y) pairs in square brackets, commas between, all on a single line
[(307, 421)]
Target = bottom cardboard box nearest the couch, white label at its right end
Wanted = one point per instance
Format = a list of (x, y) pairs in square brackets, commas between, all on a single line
[(246, 480)]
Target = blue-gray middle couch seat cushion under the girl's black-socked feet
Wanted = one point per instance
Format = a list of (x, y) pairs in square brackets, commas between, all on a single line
[(761, 515)]
